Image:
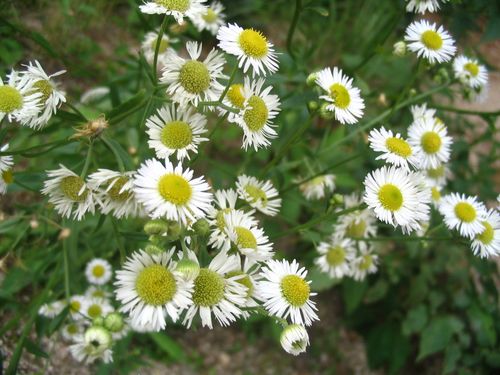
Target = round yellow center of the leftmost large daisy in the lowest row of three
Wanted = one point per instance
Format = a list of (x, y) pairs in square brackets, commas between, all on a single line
[(155, 285)]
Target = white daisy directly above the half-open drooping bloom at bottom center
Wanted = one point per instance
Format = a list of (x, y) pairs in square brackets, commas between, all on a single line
[(286, 293)]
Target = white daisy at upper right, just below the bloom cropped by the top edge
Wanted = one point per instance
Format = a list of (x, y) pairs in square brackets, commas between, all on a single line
[(430, 41)]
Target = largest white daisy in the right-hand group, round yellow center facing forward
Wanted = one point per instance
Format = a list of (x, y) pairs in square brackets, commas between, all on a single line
[(397, 197)]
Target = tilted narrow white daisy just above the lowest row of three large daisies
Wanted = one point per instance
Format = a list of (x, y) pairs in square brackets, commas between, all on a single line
[(249, 239)]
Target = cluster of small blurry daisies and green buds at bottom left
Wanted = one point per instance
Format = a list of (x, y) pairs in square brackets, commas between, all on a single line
[(91, 324)]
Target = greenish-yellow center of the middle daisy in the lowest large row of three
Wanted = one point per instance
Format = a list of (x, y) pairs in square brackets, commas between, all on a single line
[(208, 288)]
